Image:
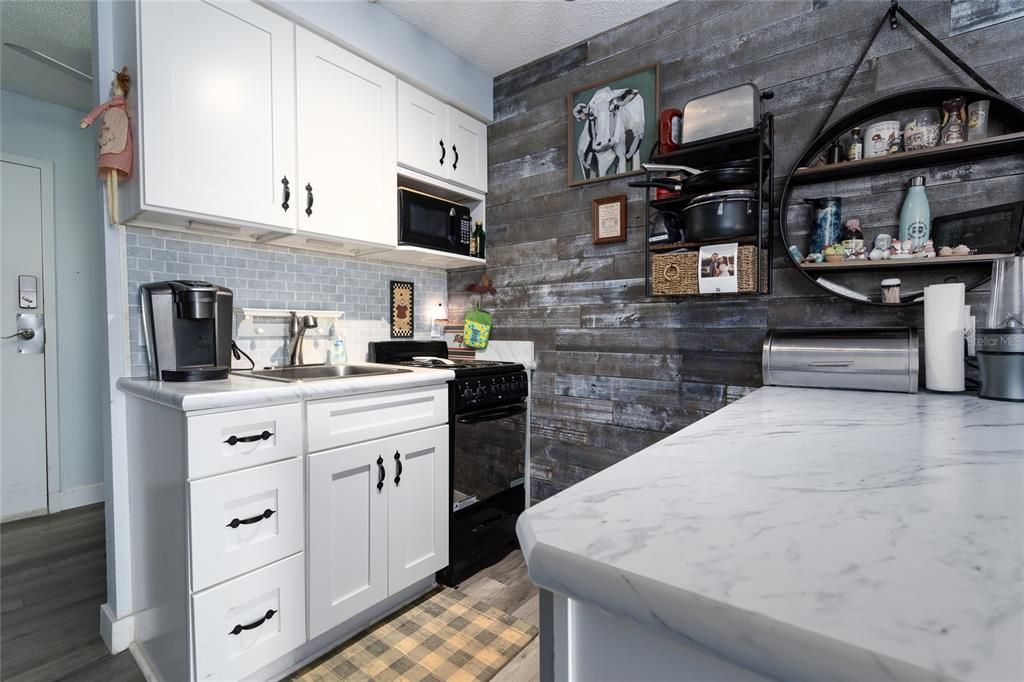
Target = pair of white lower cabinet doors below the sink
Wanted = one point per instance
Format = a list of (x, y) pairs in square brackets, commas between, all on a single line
[(378, 522)]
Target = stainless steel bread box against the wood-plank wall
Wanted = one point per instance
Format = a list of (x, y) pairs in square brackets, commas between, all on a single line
[(871, 360)]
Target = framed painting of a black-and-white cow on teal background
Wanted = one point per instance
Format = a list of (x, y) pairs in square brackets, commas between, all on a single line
[(613, 125)]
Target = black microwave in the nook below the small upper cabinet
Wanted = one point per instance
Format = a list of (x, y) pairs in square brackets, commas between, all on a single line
[(433, 223)]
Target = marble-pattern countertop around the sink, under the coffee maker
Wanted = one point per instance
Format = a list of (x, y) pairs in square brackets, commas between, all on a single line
[(242, 392)]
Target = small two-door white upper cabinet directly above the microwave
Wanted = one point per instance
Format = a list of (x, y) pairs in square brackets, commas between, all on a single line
[(441, 141)]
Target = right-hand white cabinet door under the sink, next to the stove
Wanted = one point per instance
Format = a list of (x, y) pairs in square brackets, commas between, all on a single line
[(418, 506)]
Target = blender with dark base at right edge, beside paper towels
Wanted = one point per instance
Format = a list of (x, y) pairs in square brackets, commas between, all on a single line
[(1001, 345)]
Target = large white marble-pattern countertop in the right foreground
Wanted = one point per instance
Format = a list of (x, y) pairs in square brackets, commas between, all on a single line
[(812, 535)]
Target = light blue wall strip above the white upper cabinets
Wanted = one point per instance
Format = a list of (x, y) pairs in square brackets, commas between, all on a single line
[(398, 46)]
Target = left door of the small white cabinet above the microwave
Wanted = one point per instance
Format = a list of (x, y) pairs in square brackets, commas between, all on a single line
[(423, 126)]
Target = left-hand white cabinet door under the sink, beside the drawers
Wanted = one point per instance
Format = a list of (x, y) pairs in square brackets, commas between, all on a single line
[(348, 547)]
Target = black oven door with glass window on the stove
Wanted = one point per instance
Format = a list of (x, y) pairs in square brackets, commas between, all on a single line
[(489, 454)]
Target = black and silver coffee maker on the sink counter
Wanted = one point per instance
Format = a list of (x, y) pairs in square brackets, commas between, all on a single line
[(188, 328)]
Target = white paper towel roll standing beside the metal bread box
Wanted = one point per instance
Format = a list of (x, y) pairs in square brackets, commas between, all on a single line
[(945, 337)]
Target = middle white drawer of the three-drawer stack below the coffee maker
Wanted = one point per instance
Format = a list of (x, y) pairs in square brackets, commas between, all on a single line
[(245, 520)]
